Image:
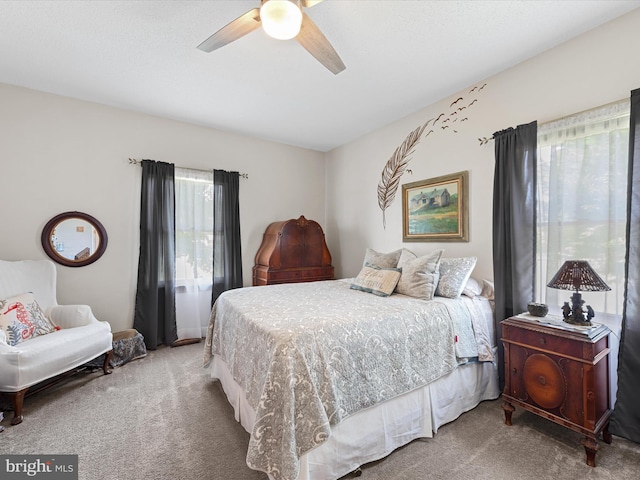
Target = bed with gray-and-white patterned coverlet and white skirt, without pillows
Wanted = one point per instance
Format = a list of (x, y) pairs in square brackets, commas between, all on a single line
[(326, 378)]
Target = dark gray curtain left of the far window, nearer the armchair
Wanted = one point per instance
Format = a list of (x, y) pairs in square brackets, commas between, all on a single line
[(155, 309)]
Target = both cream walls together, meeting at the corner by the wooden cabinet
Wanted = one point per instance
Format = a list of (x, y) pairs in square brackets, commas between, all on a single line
[(58, 154)]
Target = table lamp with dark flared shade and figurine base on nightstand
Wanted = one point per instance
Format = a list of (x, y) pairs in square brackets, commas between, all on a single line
[(578, 275)]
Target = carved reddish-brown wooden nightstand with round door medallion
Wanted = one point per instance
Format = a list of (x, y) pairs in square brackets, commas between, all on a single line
[(559, 374)]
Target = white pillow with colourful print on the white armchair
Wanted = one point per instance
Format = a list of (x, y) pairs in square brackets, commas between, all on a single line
[(21, 318)]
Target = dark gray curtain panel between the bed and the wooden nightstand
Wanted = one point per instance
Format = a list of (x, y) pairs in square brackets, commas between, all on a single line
[(514, 224)]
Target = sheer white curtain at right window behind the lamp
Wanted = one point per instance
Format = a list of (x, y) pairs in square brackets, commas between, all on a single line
[(582, 199)]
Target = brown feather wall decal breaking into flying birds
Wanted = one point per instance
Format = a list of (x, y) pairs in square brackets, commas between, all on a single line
[(396, 166)]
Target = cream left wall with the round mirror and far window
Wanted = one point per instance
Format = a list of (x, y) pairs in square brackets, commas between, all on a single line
[(59, 154)]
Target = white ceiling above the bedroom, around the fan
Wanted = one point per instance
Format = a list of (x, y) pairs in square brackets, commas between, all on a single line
[(400, 55)]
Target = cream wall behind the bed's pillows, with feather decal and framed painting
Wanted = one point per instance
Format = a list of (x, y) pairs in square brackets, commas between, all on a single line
[(591, 70)]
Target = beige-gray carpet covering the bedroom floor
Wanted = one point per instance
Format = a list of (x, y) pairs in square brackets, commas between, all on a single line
[(162, 417)]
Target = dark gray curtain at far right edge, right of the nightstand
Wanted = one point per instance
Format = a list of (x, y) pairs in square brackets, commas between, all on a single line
[(625, 421)]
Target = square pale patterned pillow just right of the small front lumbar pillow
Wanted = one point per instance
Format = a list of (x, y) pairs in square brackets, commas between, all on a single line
[(419, 274)]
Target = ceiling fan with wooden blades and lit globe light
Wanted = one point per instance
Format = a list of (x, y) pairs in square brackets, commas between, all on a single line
[(281, 19)]
